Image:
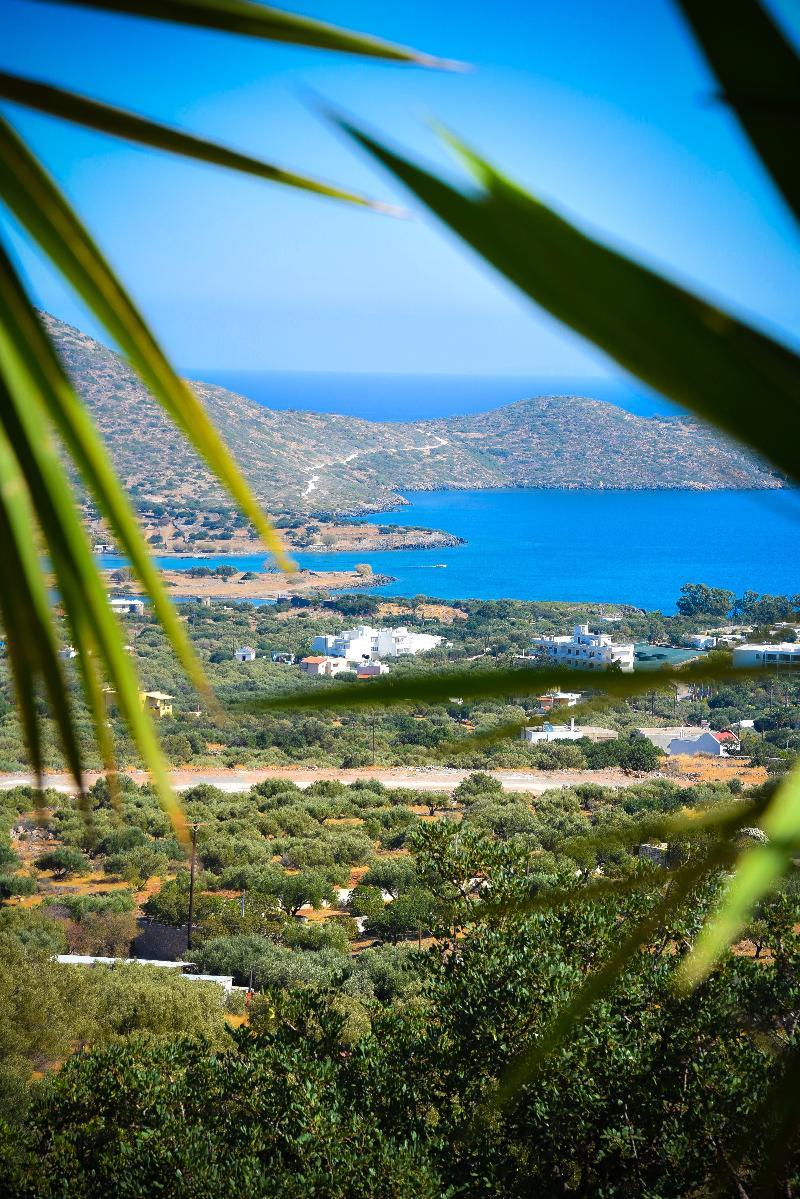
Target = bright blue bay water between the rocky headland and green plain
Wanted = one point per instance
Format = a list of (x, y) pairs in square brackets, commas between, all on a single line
[(610, 547)]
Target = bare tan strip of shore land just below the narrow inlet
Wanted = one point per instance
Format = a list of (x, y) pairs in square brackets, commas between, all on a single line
[(266, 586)]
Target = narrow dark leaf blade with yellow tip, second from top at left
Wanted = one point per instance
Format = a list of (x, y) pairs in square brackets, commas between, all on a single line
[(94, 115)]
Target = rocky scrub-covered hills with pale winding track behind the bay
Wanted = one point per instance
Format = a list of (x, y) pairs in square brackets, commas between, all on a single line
[(309, 462)]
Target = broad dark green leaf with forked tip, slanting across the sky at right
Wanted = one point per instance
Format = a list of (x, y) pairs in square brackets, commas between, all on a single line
[(685, 348)]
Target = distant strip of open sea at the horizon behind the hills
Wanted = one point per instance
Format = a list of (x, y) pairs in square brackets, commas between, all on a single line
[(418, 397)]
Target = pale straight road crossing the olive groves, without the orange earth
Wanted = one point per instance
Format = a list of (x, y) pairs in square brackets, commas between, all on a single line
[(418, 779)]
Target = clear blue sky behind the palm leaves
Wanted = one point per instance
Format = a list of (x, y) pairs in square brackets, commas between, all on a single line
[(599, 106)]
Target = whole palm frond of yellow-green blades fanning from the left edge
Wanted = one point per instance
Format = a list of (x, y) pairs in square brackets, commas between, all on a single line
[(43, 421)]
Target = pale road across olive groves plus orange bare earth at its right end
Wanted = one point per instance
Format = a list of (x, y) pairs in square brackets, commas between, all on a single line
[(419, 779)]
